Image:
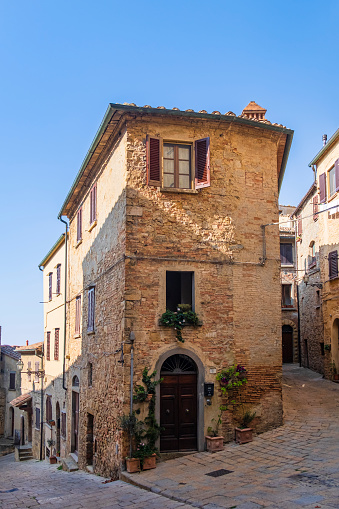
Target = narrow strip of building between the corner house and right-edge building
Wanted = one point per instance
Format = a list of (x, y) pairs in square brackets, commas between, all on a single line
[(289, 302)]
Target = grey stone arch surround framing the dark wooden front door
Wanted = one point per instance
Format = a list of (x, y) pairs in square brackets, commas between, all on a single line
[(200, 389)]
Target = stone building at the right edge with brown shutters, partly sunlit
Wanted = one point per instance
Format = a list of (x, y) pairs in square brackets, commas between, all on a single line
[(319, 233)]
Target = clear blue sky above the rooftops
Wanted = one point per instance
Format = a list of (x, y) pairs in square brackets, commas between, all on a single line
[(62, 62)]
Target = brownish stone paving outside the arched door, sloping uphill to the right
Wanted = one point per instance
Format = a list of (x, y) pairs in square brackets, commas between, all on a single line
[(295, 466)]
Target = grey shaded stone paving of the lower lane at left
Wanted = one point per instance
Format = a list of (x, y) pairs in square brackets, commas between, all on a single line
[(38, 484)]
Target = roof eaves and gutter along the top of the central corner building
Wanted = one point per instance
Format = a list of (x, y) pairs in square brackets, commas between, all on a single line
[(113, 108)]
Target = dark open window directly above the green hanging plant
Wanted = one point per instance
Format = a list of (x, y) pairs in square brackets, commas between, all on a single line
[(179, 289)]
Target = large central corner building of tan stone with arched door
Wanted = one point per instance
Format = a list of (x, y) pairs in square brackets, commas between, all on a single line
[(168, 208)]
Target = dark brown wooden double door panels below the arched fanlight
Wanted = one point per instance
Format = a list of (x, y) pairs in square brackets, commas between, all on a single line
[(178, 412)]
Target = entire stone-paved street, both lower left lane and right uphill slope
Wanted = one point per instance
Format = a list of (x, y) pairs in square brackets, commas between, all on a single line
[(295, 466)]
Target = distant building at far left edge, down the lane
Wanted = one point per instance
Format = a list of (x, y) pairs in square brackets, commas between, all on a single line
[(9, 389)]
